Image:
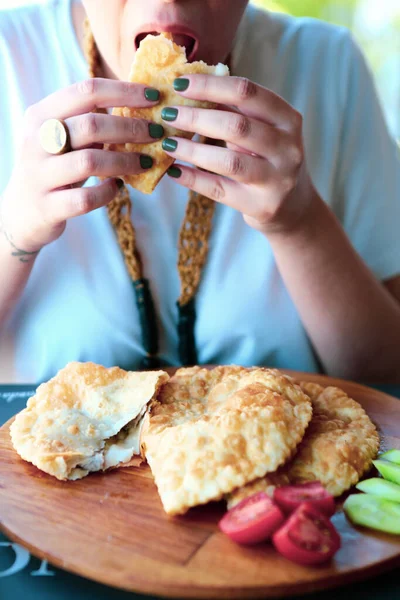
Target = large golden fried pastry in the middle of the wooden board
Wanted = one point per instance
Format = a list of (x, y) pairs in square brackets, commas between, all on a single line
[(211, 431)]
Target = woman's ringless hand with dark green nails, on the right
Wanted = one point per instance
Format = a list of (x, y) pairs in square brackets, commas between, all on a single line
[(262, 171)]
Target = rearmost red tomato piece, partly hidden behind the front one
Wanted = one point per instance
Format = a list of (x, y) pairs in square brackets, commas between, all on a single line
[(289, 497)]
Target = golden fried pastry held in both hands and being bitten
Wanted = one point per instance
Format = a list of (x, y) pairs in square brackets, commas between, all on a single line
[(157, 62)]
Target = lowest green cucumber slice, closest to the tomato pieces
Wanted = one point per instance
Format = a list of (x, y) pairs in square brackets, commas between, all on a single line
[(374, 512)]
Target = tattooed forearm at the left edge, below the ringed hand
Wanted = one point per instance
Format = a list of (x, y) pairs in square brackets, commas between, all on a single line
[(15, 268)]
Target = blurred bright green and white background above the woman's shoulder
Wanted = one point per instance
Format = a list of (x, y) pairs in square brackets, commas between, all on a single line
[(376, 27)]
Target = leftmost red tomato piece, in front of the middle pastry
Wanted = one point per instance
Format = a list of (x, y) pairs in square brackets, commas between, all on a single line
[(253, 520)]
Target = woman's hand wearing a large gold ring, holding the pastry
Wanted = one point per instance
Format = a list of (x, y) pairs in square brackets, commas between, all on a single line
[(45, 190)]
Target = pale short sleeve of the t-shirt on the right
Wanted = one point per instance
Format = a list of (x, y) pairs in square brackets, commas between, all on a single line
[(367, 195)]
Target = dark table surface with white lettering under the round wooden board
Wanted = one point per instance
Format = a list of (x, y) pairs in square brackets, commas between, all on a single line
[(24, 576)]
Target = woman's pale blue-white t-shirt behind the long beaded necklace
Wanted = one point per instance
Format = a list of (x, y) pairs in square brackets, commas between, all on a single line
[(79, 303)]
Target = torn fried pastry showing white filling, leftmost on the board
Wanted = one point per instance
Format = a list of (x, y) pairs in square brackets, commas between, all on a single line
[(87, 418)]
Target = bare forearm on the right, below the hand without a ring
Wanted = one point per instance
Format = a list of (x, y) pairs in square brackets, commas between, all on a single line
[(351, 319)]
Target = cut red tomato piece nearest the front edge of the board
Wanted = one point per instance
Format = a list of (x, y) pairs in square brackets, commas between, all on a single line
[(308, 537)]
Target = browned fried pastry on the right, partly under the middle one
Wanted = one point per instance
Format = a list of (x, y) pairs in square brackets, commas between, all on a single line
[(338, 447)]
